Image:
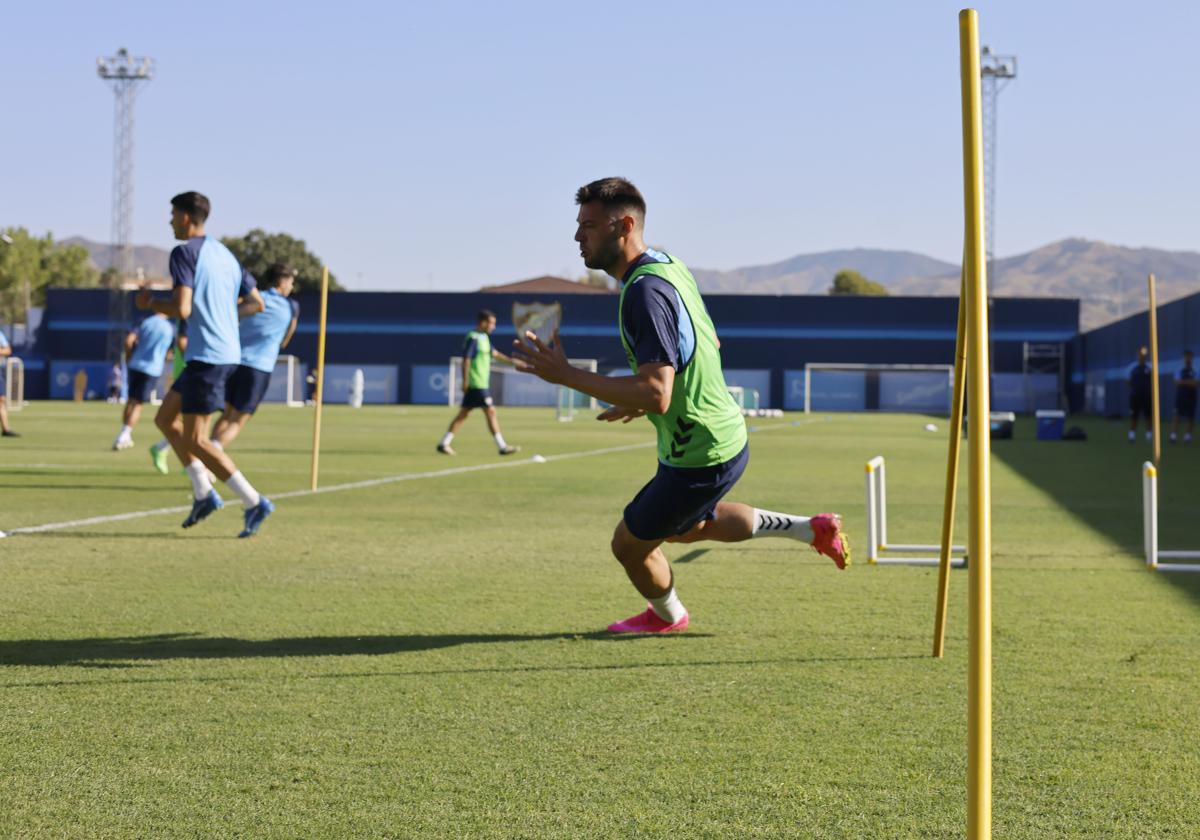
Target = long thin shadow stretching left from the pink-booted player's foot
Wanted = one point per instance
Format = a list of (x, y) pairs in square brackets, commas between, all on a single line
[(131, 650)]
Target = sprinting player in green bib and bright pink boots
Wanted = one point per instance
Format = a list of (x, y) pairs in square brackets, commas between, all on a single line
[(679, 383)]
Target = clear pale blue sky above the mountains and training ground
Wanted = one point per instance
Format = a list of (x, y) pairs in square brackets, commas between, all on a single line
[(425, 146)]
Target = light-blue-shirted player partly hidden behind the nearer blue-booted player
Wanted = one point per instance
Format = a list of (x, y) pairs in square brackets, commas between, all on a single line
[(263, 335)]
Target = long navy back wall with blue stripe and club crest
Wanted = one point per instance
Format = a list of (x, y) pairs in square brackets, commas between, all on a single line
[(765, 337)]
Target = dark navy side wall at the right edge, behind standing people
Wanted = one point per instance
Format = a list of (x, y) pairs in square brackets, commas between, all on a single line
[(1109, 353)]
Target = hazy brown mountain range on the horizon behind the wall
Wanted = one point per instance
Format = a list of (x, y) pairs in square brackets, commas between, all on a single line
[(1111, 280)]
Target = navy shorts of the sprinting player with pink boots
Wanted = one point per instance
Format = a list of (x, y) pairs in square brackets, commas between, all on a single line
[(677, 497)]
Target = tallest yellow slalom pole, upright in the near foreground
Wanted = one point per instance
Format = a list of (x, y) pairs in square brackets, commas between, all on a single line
[(980, 451)]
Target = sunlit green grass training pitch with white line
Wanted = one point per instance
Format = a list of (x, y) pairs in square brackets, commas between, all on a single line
[(424, 658)]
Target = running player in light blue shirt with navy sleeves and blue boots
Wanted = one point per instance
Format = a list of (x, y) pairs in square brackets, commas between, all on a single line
[(209, 284)]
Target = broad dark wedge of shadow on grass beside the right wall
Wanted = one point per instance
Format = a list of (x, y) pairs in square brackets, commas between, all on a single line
[(1099, 482)]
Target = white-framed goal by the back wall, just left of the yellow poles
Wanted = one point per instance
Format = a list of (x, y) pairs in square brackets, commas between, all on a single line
[(917, 389)]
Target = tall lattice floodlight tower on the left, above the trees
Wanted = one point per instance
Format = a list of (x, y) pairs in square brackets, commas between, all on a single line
[(125, 75)]
